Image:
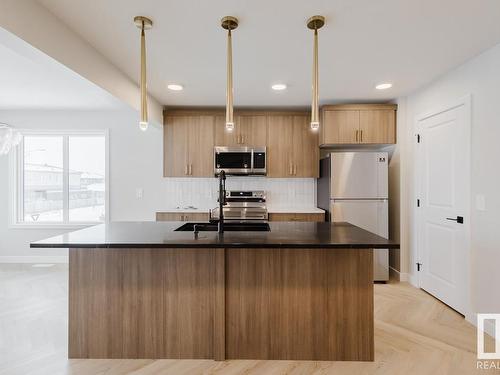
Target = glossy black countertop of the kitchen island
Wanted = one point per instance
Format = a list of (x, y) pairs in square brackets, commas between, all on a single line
[(152, 234)]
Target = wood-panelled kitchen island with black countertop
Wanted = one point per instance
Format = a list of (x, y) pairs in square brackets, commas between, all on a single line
[(302, 291)]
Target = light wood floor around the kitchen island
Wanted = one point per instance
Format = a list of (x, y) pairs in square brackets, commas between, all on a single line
[(414, 334)]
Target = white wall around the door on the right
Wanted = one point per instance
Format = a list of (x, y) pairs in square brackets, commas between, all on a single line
[(479, 77)]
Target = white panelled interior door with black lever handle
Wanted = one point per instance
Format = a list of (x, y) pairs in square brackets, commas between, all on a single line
[(443, 176)]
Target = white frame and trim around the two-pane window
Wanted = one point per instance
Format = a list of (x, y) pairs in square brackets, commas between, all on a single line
[(16, 161)]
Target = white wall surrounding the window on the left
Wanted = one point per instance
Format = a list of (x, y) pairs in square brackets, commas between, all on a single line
[(135, 161)]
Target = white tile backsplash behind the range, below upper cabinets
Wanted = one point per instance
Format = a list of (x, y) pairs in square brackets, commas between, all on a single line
[(202, 192)]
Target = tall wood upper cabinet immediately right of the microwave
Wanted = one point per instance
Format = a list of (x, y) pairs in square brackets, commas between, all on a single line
[(292, 147)]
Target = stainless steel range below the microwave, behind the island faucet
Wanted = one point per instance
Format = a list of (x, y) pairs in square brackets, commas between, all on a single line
[(243, 206)]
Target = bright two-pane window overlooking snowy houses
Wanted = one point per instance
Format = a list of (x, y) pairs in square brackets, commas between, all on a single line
[(61, 178)]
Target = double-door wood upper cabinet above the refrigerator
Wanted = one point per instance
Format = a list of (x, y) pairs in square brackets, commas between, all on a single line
[(358, 124)]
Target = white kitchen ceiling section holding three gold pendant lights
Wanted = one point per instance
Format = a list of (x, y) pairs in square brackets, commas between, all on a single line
[(364, 42)]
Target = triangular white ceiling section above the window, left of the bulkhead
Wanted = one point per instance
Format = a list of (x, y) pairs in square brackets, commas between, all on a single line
[(30, 79)]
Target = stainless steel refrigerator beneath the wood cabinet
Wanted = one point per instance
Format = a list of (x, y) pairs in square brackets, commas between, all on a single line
[(353, 187)]
